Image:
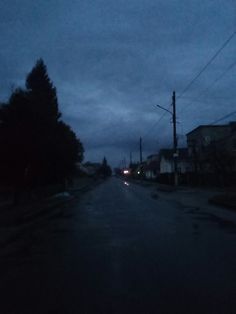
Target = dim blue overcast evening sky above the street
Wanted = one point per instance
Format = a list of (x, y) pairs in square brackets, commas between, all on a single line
[(112, 61)]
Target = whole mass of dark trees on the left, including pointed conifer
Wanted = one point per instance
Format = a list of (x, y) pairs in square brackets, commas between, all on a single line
[(37, 148)]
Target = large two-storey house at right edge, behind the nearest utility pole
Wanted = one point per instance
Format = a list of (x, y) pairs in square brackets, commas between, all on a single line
[(212, 149)]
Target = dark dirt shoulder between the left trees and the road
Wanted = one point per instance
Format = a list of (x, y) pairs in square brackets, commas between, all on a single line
[(19, 223)]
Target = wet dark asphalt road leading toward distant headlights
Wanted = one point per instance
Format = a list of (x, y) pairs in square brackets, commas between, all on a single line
[(119, 250)]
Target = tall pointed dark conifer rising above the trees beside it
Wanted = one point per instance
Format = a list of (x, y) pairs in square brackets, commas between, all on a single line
[(56, 144)]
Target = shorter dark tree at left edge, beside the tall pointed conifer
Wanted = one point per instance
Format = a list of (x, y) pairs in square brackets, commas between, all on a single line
[(15, 137)]
